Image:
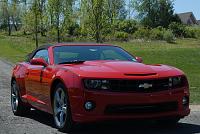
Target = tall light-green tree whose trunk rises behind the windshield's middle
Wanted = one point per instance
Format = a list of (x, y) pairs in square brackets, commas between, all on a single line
[(97, 19)]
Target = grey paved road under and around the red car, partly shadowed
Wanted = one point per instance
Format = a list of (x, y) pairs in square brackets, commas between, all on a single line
[(38, 122)]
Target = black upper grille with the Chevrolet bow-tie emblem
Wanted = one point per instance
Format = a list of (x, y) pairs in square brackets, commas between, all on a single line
[(138, 85)]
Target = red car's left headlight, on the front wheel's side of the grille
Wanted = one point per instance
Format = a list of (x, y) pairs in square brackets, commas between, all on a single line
[(97, 84)]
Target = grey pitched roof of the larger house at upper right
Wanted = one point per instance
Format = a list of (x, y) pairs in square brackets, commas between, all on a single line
[(185, 16)]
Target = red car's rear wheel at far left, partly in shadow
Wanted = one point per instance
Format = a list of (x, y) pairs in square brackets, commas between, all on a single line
[(18, 107)]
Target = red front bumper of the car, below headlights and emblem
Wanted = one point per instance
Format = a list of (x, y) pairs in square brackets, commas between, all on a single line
[(104, 99)]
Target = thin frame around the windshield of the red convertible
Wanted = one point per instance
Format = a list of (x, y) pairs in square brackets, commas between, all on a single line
[(98, 45)]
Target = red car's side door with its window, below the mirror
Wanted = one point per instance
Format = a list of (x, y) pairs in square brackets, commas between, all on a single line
[(33, 79)]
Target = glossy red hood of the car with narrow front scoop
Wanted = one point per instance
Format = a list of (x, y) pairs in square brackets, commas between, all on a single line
[(120, 69)]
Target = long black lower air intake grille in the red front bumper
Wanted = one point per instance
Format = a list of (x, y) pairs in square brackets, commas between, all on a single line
[(141, 109)]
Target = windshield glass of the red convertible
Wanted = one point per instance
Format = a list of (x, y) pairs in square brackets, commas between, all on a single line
[(89, 53)]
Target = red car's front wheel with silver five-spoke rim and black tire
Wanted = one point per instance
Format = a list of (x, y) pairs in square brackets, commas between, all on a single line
[(61, 109)]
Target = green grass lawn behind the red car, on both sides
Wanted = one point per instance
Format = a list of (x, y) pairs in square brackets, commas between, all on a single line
[(184, 54)]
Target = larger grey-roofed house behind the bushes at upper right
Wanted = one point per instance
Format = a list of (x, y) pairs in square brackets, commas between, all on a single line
[(188, 18)]
